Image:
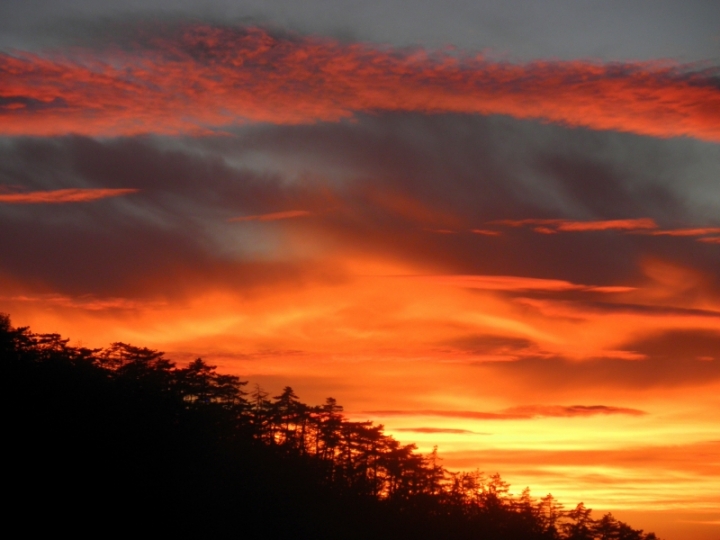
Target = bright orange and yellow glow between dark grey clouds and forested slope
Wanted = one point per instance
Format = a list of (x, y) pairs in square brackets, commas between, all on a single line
[(377, 341)]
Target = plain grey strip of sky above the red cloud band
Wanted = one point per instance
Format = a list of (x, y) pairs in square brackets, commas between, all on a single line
[(612, 29)]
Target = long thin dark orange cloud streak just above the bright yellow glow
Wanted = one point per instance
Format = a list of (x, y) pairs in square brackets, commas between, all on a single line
[(527, 412)]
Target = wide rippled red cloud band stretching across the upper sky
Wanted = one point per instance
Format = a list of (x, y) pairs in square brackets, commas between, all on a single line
[(202, 78)]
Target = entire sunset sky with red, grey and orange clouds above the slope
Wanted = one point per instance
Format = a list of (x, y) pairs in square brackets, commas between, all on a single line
[(490, 226)]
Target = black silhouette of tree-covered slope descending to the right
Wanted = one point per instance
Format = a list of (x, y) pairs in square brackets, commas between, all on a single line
[(122, 440)]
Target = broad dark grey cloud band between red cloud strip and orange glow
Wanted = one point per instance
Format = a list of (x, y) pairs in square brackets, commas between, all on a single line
[(381, 185)]
